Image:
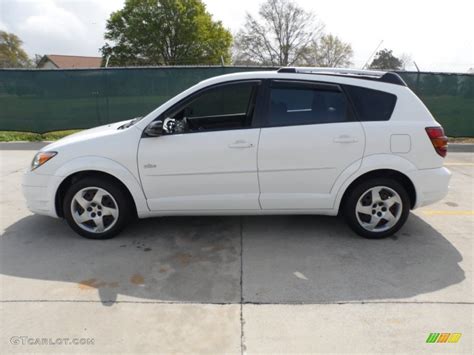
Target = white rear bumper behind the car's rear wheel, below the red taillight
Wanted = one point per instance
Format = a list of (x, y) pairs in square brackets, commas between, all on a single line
[(431, 185)]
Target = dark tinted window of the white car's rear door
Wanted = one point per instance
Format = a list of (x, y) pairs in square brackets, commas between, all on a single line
[(295, 103)]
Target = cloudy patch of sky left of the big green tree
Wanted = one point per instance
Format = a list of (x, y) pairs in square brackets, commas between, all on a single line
[(58, 27)]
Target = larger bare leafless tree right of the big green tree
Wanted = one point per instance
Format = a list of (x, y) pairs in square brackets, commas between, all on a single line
[(279, 36)]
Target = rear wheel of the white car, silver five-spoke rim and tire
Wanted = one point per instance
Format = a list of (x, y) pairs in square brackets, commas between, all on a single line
[(377, 208)]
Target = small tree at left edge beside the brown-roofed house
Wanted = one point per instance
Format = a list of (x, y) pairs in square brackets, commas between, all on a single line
[(11, 53)]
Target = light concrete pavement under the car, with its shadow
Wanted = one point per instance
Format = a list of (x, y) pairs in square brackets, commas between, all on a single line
[(237, 284)]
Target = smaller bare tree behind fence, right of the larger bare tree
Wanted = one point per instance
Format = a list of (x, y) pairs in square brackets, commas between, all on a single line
[(329, 51)]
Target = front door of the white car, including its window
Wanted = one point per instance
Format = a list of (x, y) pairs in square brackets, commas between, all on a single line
[(207, 159)]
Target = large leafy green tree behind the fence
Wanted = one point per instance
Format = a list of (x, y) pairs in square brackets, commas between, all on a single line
[(165, 32)]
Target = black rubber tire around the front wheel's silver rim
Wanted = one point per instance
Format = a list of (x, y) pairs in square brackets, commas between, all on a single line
[(121, 198)]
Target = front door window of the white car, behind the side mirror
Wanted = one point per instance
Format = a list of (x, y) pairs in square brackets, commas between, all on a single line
[(228, 106)]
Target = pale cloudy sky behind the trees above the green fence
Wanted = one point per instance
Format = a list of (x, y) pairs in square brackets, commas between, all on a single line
[(437, 34)]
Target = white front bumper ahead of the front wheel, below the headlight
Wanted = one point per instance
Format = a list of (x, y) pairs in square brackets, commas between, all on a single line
[(39, 191)]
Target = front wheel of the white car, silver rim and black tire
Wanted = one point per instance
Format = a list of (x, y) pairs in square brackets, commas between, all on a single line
[(96, 208)]
